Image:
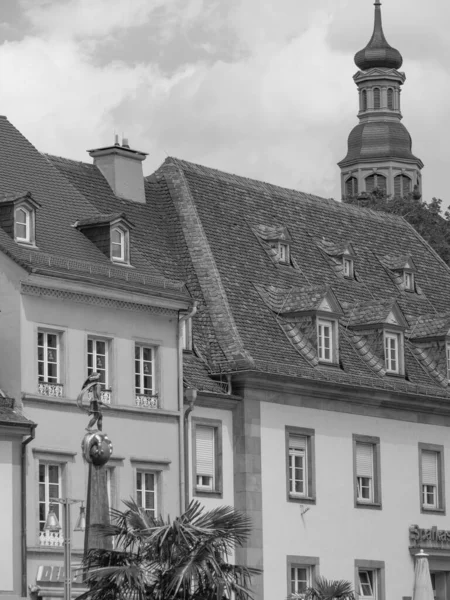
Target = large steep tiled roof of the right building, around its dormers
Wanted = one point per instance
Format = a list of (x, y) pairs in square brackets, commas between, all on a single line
[(245, 299)]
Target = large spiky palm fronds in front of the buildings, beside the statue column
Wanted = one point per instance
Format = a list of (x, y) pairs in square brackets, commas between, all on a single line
[(185, 559)]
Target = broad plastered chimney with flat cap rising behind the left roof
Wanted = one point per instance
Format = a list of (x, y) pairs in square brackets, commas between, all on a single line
[(122, 168)]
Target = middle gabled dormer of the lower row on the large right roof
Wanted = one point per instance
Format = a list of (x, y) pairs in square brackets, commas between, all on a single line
[(382, 324)]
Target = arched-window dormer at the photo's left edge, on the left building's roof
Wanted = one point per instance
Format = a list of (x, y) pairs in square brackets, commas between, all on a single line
[(18, 217)]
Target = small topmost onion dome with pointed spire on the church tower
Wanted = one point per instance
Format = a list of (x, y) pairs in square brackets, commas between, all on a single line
[(378, 53)]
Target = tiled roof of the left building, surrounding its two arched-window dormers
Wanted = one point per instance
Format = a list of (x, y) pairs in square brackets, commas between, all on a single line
[(60, 246)]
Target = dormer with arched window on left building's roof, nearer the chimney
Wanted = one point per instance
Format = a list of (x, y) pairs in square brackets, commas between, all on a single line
[(110, 233)]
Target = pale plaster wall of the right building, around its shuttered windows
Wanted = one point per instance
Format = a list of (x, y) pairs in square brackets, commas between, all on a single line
[(333, 529)]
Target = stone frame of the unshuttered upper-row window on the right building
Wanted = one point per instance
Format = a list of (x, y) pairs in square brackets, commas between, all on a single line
[(310, 497)]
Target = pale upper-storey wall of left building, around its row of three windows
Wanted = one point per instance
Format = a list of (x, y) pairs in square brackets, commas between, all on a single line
[(123, 327)]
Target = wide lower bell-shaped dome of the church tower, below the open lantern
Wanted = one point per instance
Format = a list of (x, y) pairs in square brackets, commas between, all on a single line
[(379, 140)]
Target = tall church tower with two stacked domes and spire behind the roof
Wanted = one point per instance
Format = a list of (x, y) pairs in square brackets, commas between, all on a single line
[(379, 147)]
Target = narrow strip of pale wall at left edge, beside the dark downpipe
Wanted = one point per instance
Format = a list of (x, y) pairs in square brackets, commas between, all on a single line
[(6, 511)]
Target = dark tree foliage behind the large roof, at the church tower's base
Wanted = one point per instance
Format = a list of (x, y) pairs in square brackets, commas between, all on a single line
[(426, 218)]
